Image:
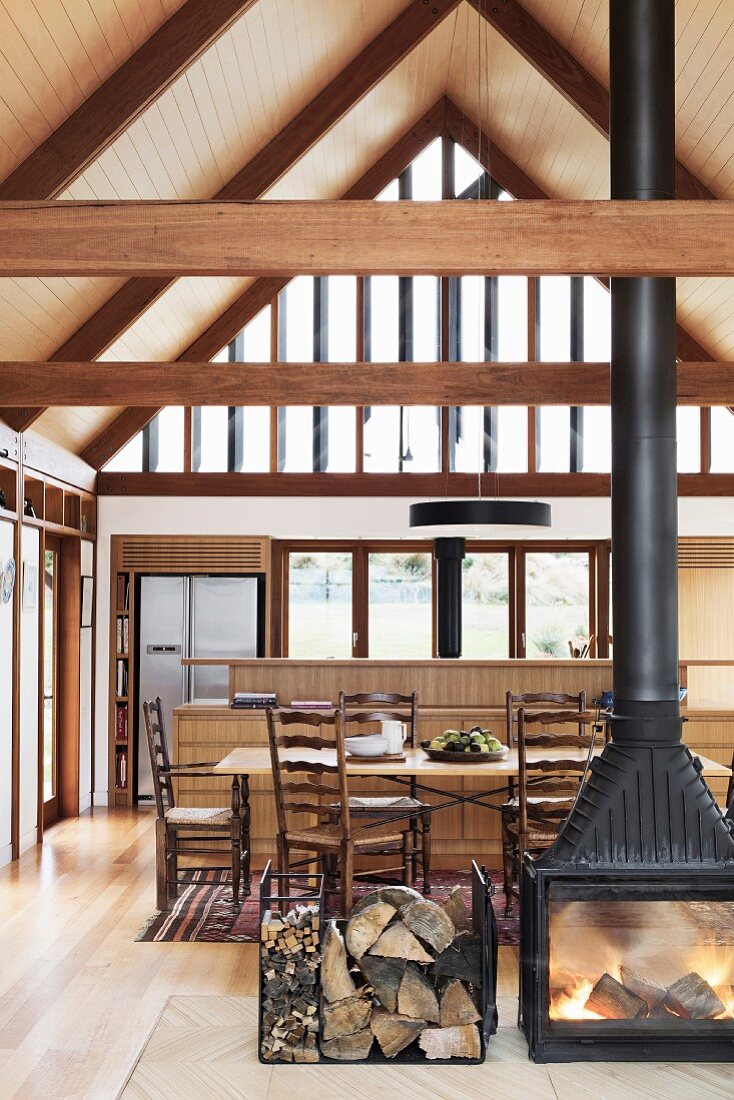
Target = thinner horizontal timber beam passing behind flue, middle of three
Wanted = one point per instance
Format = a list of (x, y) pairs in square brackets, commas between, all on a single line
[(280, 384)]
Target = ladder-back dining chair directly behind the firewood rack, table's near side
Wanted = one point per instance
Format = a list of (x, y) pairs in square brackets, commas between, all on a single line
[(309, 784)]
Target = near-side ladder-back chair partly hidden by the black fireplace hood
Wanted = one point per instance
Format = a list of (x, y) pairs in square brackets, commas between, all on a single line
[(547, 786)]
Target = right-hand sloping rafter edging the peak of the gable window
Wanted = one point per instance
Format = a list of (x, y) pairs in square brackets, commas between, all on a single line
[(467, 133)]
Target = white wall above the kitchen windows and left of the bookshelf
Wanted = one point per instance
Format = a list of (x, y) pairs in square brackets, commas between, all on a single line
[(321, 518)]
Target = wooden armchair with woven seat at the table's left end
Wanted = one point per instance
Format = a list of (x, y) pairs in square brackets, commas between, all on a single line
[(190, 831)]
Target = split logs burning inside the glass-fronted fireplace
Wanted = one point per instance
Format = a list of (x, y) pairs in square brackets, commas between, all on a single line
[(638, 998)]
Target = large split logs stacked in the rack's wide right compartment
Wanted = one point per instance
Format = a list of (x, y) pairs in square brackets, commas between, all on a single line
[(408, 971)]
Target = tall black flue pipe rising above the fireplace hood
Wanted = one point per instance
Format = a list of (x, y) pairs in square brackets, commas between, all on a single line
[(643, 387)]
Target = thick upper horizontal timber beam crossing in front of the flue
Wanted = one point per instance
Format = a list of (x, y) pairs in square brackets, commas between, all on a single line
[(615, 237)]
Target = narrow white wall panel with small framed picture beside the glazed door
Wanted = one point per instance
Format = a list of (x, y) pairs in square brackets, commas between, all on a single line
[(29, 808)]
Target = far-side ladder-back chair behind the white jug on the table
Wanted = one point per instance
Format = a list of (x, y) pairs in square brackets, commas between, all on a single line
[(392, 708)]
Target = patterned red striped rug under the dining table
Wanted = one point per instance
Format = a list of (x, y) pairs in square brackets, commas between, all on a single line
[(204, 911)]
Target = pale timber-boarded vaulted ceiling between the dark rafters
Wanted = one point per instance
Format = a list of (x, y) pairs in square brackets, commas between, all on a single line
[(231, 103)]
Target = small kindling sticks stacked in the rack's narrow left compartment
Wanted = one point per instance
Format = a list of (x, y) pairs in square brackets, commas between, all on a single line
[(290, 962)]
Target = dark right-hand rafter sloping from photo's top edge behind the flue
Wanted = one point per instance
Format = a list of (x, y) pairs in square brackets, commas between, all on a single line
[(558, 65)]
